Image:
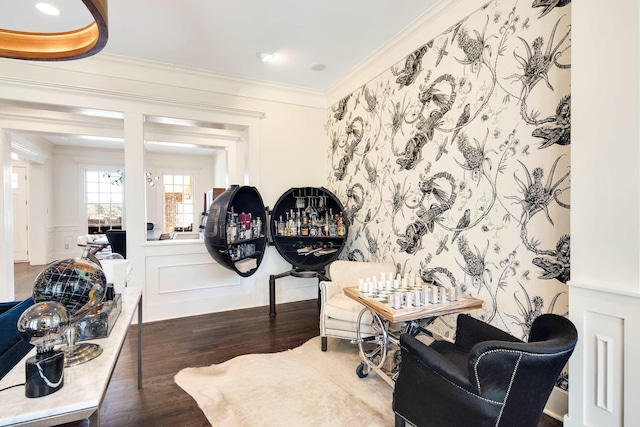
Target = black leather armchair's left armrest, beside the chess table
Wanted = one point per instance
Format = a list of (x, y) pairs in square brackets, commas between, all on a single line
[(434, 361)]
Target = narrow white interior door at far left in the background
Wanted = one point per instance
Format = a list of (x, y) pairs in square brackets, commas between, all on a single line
[(20, 224)]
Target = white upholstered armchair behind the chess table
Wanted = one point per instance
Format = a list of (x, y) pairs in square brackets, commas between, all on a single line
[(338, 312)]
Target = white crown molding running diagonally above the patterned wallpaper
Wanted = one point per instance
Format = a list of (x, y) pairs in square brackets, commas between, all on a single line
[(428, 26)]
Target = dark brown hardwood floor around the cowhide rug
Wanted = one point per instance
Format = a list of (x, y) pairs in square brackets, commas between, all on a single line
[(169, 346)]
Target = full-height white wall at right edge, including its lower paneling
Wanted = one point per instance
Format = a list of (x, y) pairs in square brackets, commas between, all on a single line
[(604, 291)]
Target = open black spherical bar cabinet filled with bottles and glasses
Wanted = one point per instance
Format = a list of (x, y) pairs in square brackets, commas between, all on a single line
[(306, 226)]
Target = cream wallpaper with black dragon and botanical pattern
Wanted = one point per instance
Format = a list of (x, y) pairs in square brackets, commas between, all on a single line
[(455, 162)]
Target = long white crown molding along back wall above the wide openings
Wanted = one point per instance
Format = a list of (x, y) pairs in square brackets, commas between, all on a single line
[(137, 76)]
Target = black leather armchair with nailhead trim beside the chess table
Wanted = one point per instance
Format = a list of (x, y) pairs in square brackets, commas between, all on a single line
[(486, 378)]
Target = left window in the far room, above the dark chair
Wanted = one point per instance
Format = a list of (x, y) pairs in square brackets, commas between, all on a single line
[(104, 201)]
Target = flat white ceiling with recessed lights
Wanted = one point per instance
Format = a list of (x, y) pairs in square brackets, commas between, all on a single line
[(225, 36)]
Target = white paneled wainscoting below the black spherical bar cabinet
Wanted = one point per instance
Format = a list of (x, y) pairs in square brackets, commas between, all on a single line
[(181, 279)]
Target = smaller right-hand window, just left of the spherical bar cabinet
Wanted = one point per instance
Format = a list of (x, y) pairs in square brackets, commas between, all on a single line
[(178, 202)]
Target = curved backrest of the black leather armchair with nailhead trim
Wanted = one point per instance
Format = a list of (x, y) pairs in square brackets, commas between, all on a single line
[(523, 374)]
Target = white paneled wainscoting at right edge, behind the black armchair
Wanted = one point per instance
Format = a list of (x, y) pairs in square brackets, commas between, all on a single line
[(603, 372)]
